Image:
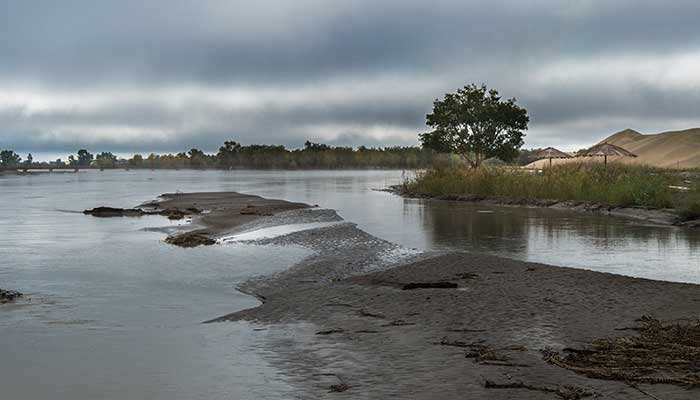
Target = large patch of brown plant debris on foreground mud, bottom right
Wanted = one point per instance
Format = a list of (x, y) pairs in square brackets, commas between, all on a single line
[(661, 353)]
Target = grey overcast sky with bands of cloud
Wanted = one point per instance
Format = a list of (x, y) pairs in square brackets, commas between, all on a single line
[(167, 75)]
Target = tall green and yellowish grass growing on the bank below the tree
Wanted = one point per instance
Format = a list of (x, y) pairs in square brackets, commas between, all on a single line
[(616, 185)]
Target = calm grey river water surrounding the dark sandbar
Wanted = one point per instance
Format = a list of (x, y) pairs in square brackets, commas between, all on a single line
[(114, 313)]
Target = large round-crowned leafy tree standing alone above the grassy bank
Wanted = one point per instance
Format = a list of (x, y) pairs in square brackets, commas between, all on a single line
[(477, 124)]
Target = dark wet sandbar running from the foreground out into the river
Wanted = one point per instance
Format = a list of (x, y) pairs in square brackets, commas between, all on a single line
[(370, 338)]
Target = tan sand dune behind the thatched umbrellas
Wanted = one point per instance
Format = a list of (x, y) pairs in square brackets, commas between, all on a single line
[(673, 149)]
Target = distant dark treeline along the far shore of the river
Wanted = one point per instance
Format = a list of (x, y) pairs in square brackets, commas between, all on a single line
[(234, 155)]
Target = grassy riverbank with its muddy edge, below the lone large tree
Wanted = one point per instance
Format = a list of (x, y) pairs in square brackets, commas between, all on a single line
[(643, 193)]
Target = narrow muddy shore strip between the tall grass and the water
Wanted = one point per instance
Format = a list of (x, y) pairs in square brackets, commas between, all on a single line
[(666, 217)]
